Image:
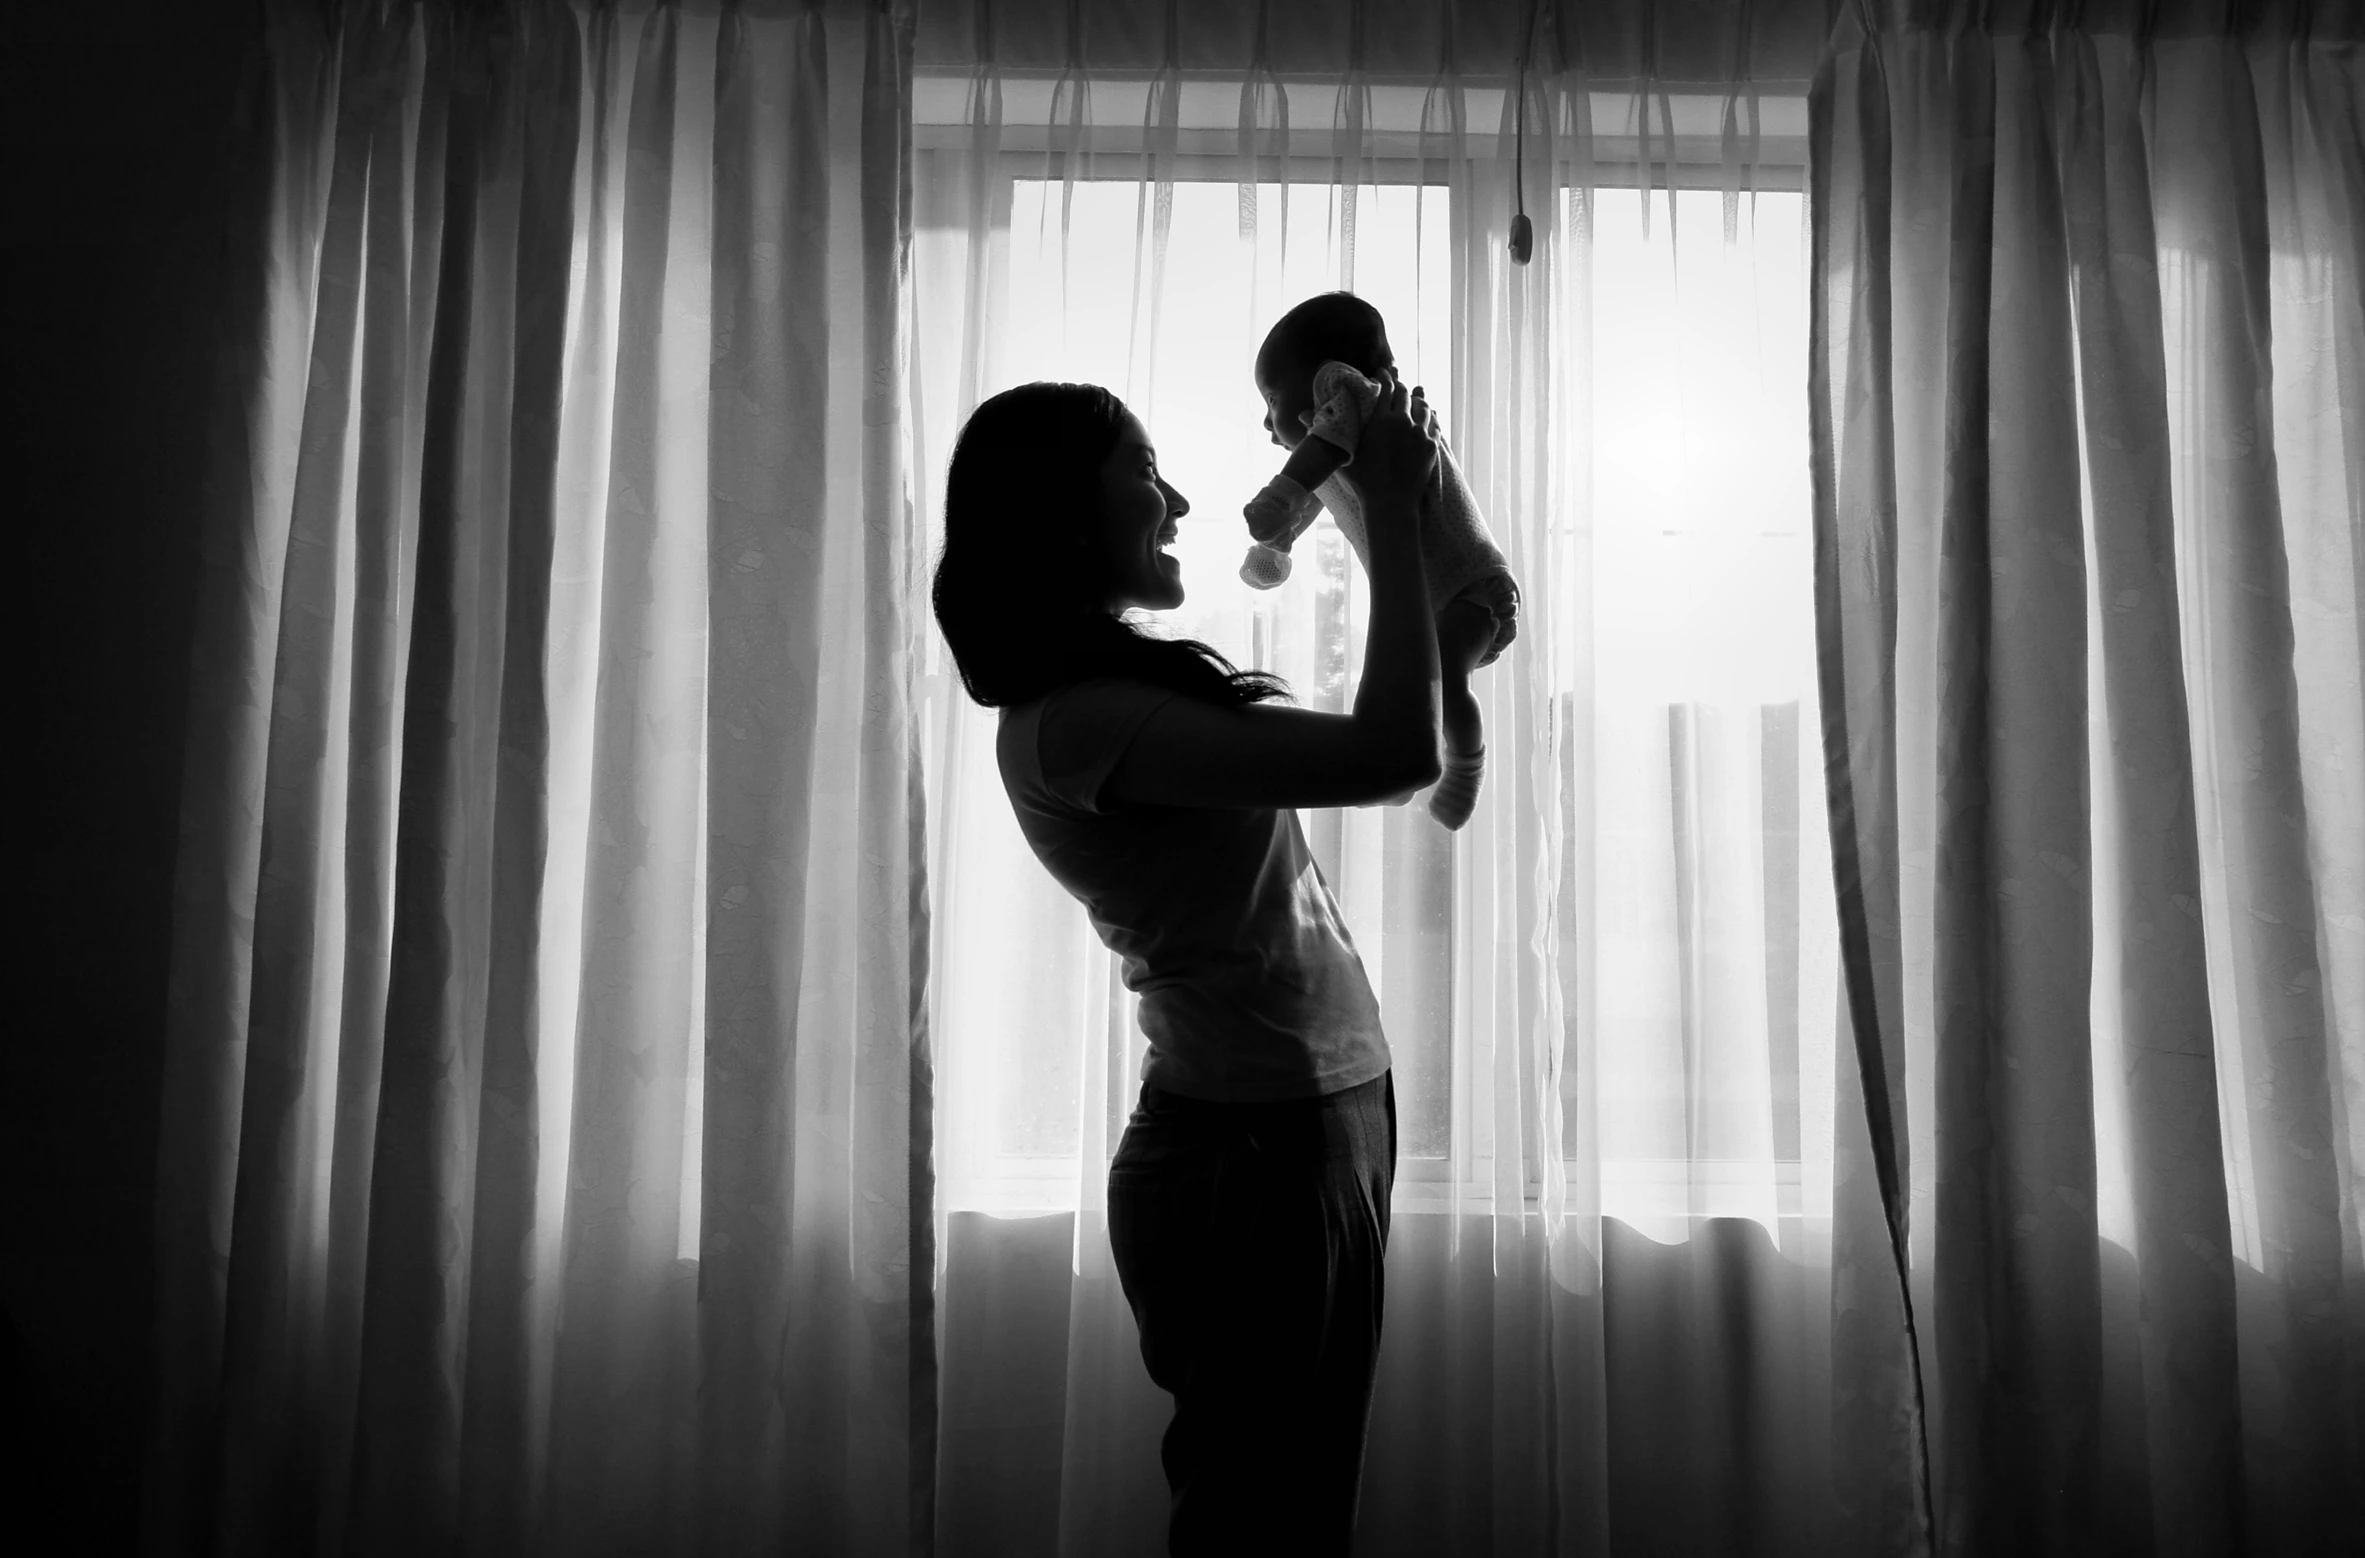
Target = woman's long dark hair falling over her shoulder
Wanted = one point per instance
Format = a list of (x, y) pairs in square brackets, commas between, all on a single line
[(1018, 590)]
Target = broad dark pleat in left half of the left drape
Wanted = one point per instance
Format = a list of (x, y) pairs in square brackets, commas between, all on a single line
[(415, 1304)]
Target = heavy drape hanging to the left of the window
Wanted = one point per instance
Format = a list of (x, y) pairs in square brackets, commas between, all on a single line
[(547, 1103)]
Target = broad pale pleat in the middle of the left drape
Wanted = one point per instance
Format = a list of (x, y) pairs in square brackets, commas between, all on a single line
[(623, 1372)]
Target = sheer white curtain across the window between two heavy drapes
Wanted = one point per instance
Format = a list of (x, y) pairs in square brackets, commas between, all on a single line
[(1612, 997)]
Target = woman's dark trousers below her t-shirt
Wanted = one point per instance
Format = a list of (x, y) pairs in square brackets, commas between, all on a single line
[(1252, 1247)]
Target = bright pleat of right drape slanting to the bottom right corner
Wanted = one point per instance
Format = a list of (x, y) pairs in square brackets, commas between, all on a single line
[(2257, 885)]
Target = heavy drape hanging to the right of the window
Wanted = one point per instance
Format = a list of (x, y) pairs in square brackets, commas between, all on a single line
[(2092, 524)]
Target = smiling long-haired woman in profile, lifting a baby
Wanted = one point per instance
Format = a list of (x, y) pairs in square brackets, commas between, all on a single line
[(1158, 784)]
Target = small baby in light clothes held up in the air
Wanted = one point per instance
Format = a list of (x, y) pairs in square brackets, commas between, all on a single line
[(1321, 375)]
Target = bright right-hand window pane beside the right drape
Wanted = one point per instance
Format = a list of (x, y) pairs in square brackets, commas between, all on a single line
[(1702, 694)]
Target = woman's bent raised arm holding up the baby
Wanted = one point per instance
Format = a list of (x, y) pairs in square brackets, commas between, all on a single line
[(1196, 753)]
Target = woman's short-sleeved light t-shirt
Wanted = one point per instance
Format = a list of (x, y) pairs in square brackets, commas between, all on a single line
[(1226, 928)]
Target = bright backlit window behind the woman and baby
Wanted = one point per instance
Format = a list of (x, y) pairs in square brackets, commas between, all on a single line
[(1685, 512)]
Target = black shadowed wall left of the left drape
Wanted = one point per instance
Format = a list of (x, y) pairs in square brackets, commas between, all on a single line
[(115, 150)]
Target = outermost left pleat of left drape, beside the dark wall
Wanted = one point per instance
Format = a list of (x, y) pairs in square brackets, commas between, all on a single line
[(266, 330)]
